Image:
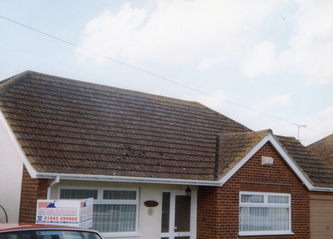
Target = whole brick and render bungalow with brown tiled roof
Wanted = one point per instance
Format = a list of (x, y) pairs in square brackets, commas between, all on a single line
[(156, 167)]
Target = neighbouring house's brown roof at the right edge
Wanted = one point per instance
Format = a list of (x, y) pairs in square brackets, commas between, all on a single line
[(323, 149)]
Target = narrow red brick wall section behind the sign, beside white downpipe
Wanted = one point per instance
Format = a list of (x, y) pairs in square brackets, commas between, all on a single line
[(32, 189)]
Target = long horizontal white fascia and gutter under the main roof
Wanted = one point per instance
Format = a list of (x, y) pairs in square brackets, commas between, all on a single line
[(87, 177)]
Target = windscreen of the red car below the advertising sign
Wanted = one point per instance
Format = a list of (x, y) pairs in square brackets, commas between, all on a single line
[(49, 234)]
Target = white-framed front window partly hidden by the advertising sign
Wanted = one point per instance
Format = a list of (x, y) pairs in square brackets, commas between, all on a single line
[(115, 210)]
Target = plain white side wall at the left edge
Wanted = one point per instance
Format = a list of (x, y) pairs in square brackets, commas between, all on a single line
[(11, 169)]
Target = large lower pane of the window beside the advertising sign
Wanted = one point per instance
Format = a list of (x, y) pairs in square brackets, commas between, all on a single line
[(114, 218)]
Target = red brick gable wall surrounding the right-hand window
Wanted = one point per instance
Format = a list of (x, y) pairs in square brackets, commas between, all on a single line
[(218, 207)]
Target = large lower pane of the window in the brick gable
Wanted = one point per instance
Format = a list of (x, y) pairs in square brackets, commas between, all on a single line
[(263, 219)]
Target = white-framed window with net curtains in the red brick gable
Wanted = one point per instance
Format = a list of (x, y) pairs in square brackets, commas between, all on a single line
[(264, 213)]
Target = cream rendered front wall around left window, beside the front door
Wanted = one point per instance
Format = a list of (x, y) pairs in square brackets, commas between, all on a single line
[(149, 225)]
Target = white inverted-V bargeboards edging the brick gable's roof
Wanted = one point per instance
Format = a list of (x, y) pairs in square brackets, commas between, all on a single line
[(269, 137)]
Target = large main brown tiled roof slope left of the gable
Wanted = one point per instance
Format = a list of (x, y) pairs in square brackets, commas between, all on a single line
[(73, 127)]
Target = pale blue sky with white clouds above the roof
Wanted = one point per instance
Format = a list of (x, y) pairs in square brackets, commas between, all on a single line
[(265, 64)]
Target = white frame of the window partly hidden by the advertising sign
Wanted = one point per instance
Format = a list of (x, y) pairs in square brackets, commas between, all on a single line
[(100, 200)]
